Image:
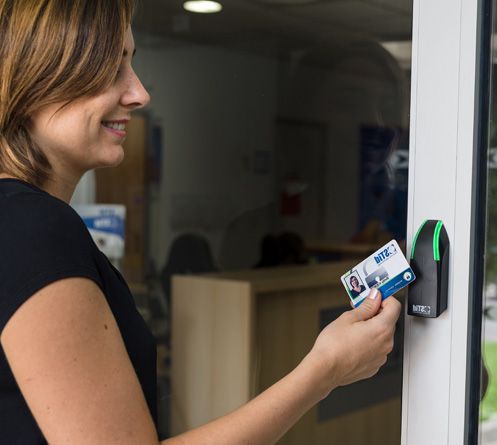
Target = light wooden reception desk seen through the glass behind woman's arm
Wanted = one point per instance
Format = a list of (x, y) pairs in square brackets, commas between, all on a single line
[(236, 333)]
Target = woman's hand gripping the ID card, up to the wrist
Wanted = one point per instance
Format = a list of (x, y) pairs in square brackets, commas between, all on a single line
[(356, 344)]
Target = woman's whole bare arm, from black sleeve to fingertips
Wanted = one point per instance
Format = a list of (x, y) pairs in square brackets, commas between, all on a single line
[(70, 362)]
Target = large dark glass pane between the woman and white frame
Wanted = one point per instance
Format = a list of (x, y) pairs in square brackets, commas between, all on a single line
[(275, 145)]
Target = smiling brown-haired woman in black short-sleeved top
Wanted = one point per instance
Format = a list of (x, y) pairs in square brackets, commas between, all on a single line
[(77, 363)]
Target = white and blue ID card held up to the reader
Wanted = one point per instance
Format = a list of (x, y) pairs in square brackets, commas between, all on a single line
[(386, 269)]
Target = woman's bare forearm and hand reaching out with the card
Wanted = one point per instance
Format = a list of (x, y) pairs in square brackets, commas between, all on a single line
[(353, 347)]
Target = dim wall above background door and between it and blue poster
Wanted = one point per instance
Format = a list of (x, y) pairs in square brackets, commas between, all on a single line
[(361, 86)]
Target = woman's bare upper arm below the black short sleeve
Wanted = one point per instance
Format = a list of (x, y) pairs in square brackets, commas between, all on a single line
[(67, 355)]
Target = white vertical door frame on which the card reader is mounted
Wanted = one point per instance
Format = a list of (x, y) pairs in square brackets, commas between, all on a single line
[(442, 185)]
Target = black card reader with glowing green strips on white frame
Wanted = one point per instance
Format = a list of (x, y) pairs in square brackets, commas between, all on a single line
[(427, 296)]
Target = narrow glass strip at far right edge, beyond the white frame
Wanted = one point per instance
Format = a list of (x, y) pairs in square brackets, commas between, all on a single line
[(483, 377)]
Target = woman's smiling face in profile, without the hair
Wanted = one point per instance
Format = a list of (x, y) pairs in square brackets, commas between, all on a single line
[(89, 132)]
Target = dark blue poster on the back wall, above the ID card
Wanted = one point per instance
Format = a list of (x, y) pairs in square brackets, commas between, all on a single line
[(384, 176)]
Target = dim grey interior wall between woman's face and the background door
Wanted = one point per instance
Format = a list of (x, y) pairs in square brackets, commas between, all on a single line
[(216, 108)]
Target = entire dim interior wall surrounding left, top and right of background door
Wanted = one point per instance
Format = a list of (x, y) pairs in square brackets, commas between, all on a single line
[(217, 107)]
